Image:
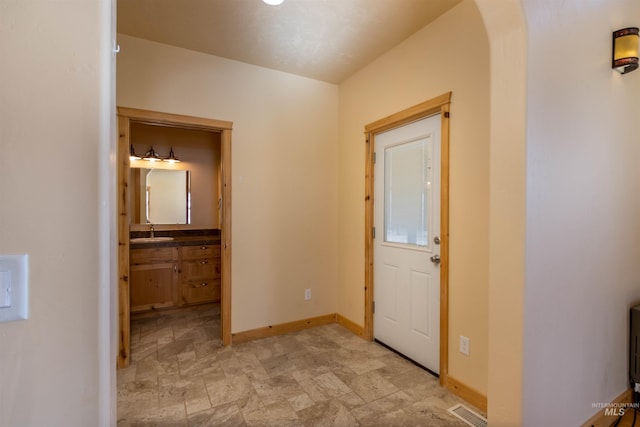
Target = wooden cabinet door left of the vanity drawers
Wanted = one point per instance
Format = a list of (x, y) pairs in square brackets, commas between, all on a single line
[(153, 286)]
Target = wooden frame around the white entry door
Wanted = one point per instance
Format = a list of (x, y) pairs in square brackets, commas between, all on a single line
[(438, 105)]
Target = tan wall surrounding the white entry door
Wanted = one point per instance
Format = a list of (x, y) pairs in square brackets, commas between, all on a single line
[(451, 54)]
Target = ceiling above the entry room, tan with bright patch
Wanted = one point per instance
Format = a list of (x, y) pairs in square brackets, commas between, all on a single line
[(326, 40)]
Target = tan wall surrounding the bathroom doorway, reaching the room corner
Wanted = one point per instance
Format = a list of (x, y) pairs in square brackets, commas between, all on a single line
[(285, 137)]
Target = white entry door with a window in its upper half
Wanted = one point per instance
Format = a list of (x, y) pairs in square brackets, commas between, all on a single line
[(406, 247)]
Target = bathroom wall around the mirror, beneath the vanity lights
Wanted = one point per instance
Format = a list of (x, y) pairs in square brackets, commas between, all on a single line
[(199, 153)]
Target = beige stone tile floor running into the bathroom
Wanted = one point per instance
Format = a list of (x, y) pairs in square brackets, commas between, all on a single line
[(181, 375)]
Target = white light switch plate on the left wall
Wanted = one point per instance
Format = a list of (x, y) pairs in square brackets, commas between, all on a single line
[(14, 301)]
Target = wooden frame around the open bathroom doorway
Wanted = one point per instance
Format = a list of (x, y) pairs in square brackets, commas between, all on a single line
[(127, 116)]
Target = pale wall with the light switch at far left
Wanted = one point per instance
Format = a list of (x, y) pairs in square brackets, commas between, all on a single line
[(55, 135)]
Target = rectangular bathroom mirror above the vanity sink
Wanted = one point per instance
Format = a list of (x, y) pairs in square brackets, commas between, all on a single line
[(159, 196)]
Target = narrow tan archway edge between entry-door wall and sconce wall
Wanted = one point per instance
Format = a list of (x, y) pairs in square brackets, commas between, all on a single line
[(505, 25)]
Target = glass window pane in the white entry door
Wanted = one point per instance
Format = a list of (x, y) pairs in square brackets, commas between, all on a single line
[(407, 192)]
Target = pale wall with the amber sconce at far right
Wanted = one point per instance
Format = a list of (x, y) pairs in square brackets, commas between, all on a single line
[(583, 210)]
